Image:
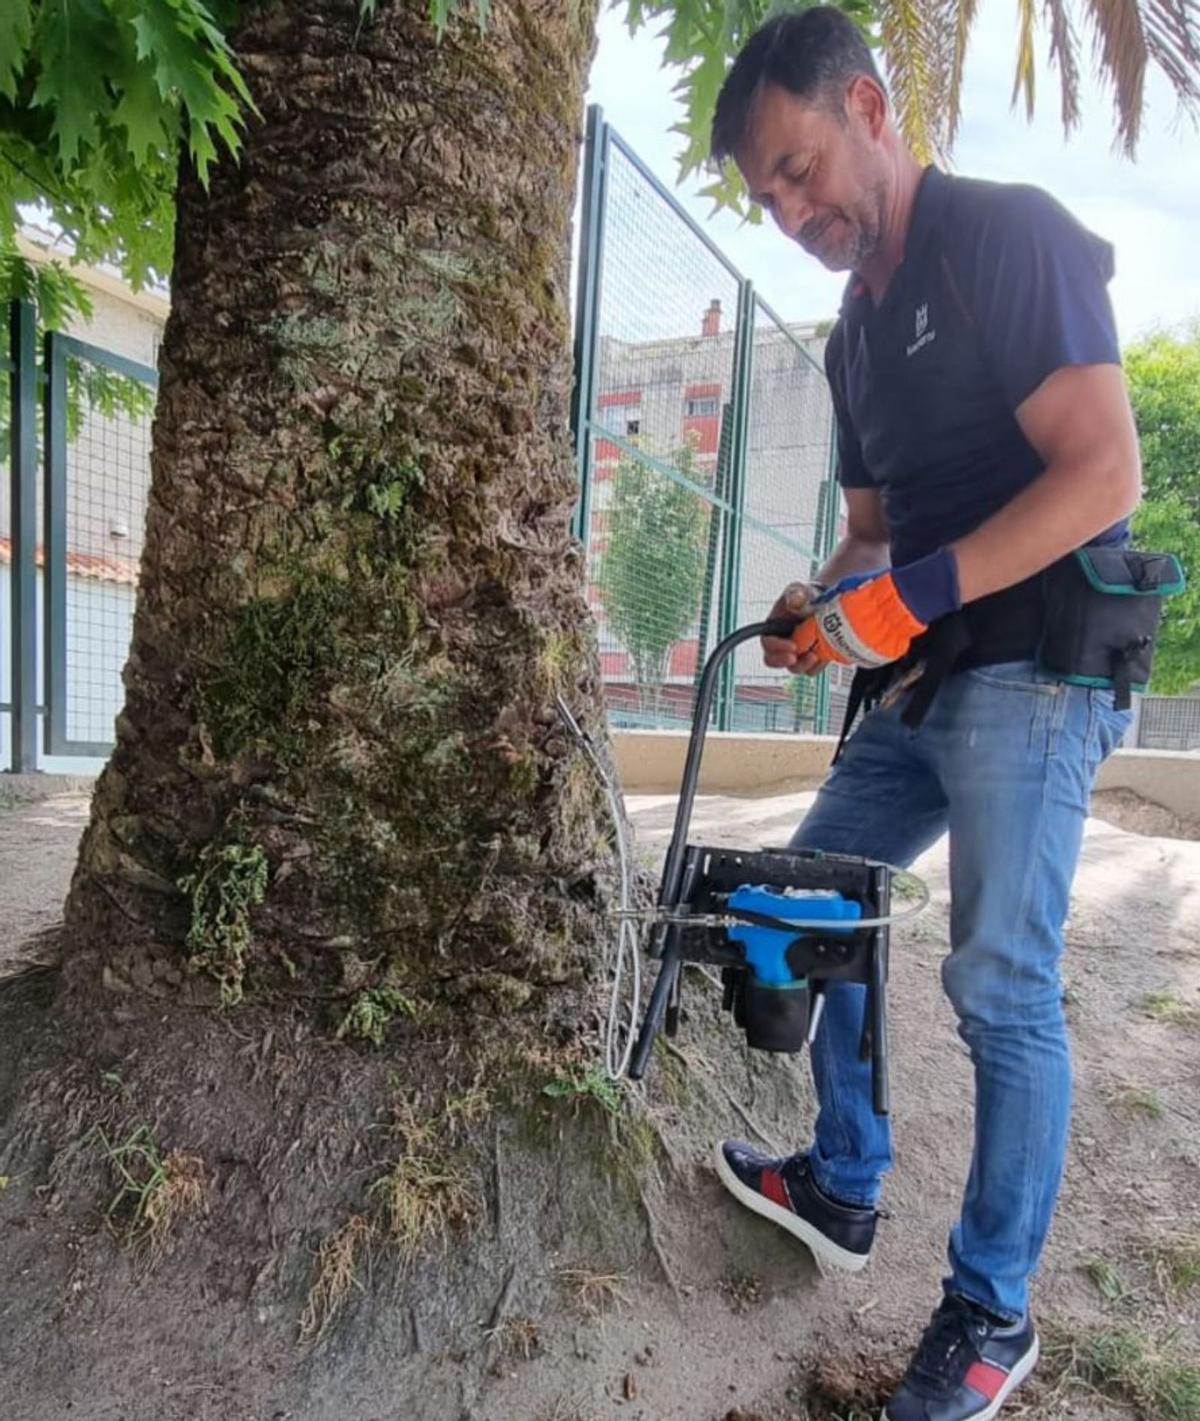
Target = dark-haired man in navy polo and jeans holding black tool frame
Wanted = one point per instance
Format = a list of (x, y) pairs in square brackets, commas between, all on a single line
[(985, 433)]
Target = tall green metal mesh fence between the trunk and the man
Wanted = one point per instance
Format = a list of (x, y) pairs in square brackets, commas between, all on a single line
[(705, 441)]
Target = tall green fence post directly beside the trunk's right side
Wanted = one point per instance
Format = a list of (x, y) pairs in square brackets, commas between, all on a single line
[(588, 308)]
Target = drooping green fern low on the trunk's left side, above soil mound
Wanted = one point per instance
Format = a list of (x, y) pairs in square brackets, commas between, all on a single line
[(230, 882)]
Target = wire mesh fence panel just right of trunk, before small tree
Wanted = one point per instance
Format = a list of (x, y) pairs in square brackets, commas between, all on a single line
[(663, 376)]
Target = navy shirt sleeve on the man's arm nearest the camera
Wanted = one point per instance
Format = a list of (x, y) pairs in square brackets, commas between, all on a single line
[(1040, 292)]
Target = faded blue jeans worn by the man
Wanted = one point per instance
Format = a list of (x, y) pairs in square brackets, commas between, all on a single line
[(1005, 761)]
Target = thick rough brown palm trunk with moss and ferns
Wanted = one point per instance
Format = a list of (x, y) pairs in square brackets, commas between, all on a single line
[(359, 595)]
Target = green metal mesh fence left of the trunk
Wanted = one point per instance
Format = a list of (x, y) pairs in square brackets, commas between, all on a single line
[(72, 514)]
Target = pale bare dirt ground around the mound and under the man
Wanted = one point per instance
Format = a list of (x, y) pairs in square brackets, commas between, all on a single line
[(747, 1319)]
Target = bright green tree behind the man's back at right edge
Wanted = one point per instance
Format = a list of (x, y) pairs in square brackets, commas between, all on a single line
[(1165, 387)]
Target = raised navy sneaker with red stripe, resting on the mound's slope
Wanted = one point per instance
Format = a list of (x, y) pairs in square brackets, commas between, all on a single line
[(840, 1236)]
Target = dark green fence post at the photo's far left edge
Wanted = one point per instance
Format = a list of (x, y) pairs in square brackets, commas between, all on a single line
[(23, 474)]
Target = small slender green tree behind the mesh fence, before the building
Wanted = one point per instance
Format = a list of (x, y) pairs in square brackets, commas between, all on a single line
[(652, 571)]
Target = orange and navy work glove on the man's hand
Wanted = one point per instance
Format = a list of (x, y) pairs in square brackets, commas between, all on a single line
[(872, 619)]
